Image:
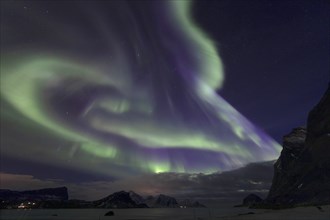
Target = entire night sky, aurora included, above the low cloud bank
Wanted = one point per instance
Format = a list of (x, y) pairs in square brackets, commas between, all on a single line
[(97, 91)]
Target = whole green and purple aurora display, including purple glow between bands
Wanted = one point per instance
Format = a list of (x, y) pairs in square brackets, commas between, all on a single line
[(119, 88)]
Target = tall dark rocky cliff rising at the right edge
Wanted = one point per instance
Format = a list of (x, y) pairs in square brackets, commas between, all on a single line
[(302, 172)]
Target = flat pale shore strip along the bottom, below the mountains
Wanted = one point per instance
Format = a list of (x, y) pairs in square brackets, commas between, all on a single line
[(301, 213)]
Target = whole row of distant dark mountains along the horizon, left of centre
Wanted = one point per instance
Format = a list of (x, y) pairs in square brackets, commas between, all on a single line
[(57, 198)]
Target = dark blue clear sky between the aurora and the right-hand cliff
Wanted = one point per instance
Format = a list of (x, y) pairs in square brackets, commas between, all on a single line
[(276, 56)]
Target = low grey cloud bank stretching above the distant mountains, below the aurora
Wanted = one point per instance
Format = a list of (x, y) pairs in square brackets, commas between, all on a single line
[(253, 178)]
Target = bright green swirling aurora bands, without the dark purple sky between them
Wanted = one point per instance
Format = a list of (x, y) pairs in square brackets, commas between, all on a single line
[(157, 144)]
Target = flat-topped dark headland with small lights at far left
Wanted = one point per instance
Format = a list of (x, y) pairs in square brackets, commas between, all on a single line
[(59, 194)]
